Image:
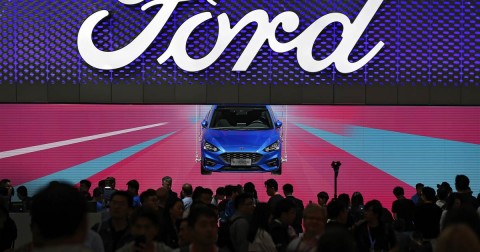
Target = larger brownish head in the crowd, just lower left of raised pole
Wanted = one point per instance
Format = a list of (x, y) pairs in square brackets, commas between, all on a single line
[(314, 219)]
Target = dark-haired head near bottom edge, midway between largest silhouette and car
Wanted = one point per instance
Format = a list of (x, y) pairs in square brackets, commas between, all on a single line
[(145, 222)]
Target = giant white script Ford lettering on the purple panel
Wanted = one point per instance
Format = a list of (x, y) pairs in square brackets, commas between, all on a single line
[(265, 32)]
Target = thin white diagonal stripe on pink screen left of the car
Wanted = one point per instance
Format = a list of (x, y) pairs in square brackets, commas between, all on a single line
[(21, 151)]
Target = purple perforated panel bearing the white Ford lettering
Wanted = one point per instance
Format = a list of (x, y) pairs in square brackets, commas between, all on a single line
[(397, 42)]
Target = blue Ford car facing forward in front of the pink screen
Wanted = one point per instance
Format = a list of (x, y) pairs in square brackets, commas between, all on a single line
[(241, 139)]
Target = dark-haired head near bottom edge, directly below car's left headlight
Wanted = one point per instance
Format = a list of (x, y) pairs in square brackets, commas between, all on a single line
[(203, 223)]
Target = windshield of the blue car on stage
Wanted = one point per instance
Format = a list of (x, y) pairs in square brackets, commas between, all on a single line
[(241, 118)]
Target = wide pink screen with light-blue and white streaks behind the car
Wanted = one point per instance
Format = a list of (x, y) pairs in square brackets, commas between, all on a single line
[(380, 147)]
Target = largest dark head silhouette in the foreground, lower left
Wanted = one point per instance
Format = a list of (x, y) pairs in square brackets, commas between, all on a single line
[(58, 214)]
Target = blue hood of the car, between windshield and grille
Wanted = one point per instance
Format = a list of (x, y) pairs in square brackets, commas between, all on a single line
[(251, 139)]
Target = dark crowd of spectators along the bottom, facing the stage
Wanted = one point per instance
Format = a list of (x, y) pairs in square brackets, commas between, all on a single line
[(233, 219)]
